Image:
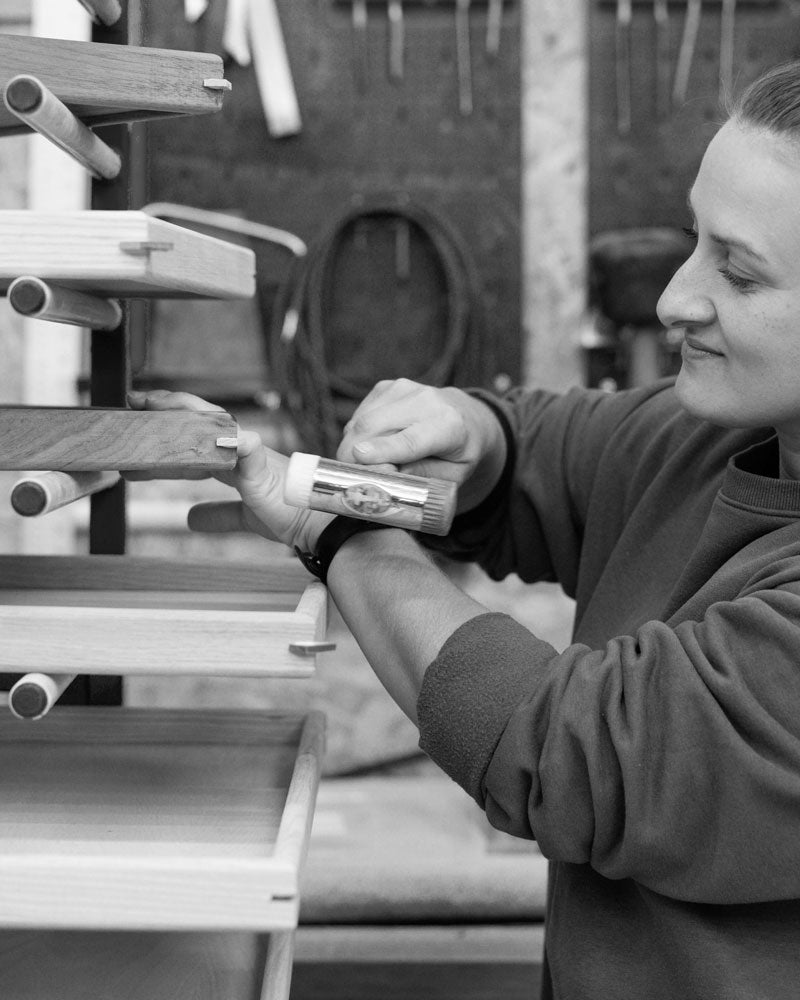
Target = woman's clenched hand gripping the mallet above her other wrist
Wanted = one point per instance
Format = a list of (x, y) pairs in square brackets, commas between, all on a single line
[(441, 433)]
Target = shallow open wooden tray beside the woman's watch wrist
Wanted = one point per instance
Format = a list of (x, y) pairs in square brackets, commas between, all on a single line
[(125, 615)]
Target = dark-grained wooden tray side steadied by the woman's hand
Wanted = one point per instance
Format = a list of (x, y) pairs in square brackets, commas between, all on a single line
[(74, 439)]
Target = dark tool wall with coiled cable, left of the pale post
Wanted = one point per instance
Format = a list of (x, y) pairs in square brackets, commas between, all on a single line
[(410, 201)]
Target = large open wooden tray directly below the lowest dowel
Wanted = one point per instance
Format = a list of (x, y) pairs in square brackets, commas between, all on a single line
[(156, 820)]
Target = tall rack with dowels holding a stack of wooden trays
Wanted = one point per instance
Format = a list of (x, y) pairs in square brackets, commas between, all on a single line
[(135, 821)]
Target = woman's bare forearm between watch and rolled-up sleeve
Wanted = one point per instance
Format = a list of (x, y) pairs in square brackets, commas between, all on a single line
[(399, 606)]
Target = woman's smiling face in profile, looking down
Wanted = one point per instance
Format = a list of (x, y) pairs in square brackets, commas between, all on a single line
[(737, 298)]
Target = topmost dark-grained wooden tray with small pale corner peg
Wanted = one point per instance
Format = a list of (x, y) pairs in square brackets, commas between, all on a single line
[(104, 83)]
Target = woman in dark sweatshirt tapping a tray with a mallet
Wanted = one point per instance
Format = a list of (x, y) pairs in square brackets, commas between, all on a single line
[(657, 759)]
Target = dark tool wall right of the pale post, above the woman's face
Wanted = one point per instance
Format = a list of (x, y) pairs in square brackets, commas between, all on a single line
[(641, 177)]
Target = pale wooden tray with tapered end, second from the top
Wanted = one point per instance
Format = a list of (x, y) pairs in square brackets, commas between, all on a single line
[(122, 254)]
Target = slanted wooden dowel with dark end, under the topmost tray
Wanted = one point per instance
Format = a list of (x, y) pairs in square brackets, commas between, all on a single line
[(40, 109)]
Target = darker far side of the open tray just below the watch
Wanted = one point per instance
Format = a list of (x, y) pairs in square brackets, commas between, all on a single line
[(282, 574)]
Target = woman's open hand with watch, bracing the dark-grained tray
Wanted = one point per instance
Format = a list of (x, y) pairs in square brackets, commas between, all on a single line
[(258, 477)]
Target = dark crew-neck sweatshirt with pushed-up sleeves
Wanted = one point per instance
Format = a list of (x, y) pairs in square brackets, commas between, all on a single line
[(656, 760)]
